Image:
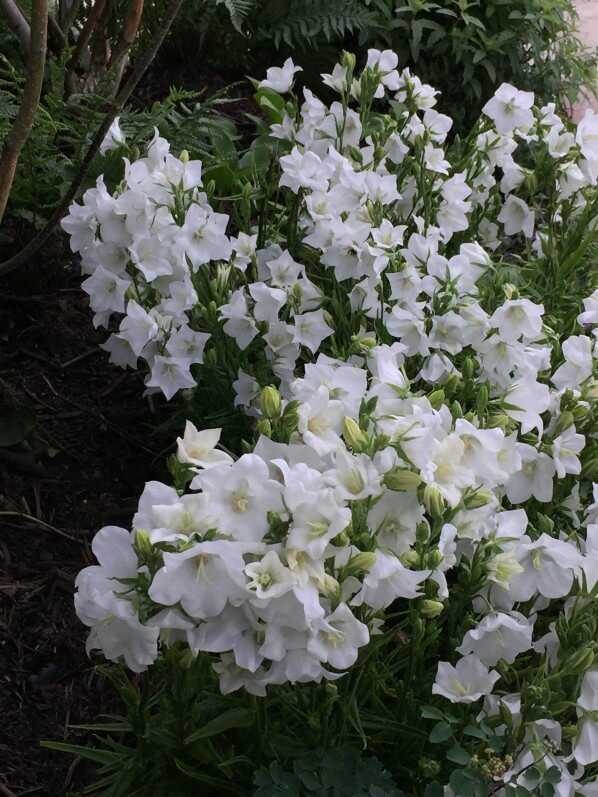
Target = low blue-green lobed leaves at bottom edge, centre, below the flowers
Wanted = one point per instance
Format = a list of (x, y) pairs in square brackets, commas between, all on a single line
[(343, 772)]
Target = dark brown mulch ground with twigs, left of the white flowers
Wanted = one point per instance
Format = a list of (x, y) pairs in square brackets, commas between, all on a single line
[(85, 467)]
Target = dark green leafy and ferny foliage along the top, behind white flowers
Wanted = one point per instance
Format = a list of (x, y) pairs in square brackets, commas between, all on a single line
[(464, 49)]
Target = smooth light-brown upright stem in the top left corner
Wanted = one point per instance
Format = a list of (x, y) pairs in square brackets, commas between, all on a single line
[(23, 123)]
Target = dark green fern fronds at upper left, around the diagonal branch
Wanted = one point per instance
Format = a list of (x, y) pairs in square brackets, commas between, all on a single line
[(64, 128)]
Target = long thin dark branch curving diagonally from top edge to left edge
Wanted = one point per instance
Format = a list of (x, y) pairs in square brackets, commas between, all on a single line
[(115, 108)]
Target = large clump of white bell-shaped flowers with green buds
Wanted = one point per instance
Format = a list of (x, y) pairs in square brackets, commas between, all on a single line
[(425, 427)]
